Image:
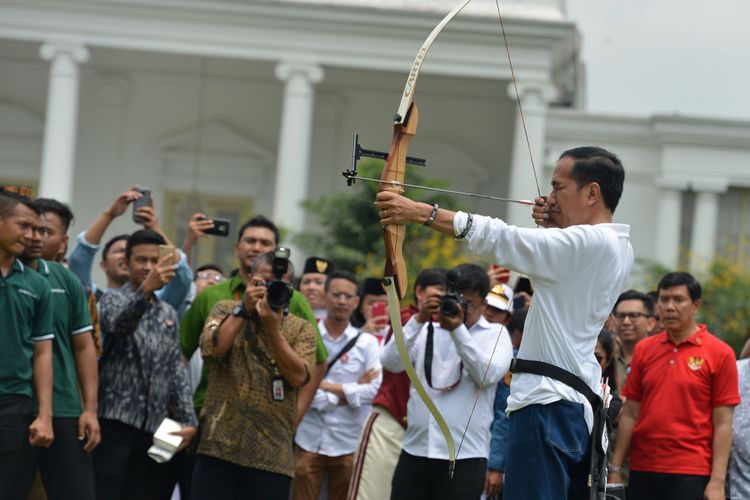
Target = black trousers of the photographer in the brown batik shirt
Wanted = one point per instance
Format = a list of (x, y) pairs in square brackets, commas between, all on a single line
[(214, 479)]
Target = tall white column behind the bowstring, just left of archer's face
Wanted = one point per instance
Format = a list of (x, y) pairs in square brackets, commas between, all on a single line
[(534, 100)]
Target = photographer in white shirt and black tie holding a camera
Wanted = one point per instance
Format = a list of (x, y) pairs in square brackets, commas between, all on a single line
[(454, 361)]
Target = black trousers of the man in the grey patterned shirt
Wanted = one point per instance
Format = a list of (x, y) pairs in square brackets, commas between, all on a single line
[(122, 468)]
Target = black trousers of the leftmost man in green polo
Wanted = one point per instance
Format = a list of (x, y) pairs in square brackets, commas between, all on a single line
[(17, 457)]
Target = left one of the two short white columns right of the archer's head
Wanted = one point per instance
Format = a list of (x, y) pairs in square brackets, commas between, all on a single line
[(668, 222)]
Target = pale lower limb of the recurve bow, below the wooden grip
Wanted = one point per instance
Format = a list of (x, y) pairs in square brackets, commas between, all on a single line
[(403, 352)]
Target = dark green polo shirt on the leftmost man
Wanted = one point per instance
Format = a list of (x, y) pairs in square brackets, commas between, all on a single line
[(26, 318)]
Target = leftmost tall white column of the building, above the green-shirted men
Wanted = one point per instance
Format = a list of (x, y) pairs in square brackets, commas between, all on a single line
[(58, 155)]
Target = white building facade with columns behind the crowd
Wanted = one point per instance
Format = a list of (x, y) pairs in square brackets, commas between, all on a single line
[(239, 107)]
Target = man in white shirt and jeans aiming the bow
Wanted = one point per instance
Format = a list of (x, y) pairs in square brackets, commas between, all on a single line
[(578, 268)]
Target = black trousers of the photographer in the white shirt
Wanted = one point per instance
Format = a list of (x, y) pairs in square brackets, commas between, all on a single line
[(420, 478)]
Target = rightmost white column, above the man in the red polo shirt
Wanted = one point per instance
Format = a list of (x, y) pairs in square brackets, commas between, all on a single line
[(705, 222)]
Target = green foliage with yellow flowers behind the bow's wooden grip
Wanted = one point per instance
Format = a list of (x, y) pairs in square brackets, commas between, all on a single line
[(352, 235)]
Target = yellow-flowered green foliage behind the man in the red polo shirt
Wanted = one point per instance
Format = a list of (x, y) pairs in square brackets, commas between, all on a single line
[(725, 297)]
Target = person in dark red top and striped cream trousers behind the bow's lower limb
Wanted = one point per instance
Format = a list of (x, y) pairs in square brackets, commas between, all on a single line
[(383, 432)]
